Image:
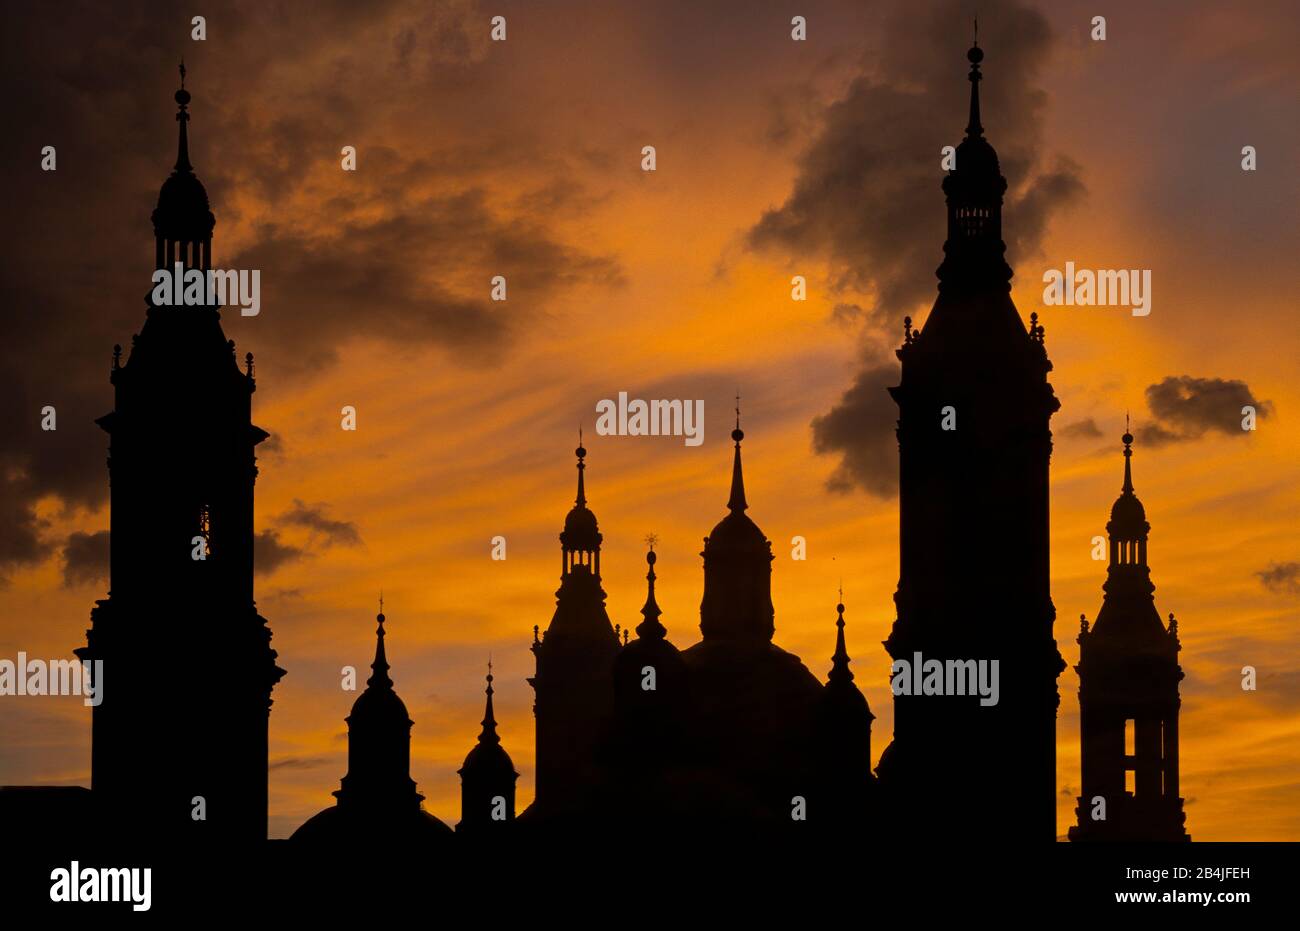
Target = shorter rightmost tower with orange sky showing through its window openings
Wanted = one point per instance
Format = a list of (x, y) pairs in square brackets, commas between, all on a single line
[(1129, 702)]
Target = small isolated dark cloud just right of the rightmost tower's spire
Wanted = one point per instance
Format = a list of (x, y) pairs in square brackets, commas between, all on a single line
[(1188, 408)]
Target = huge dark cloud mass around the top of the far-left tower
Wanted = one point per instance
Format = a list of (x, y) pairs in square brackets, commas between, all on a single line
[(401, 252)]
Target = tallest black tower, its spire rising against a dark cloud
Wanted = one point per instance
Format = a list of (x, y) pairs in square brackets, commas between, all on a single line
[(974, 451)]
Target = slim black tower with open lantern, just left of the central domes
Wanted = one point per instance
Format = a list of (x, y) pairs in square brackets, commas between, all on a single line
[(574, 700)]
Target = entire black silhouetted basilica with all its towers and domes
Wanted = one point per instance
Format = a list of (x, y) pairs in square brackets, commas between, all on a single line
[(729, 734)]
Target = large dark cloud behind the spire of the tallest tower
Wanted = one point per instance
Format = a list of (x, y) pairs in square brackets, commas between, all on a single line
[(868, 196)]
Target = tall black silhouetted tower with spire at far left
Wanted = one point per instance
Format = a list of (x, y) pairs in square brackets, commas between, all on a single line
[(180, 739)]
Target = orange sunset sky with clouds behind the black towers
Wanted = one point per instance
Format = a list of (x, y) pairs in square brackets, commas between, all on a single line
[(775, 159)]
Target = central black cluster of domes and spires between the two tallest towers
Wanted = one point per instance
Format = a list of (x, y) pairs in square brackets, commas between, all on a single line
[(733, 731)]
